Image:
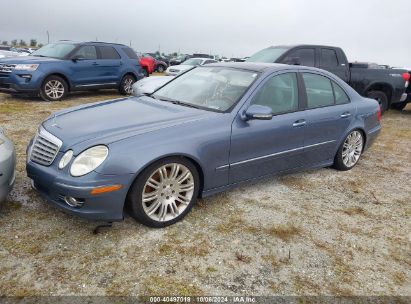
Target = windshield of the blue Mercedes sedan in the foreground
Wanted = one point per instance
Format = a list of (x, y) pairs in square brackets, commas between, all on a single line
[(215, 88)]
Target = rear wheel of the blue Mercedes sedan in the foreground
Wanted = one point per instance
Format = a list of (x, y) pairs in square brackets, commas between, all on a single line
[(350, 151)]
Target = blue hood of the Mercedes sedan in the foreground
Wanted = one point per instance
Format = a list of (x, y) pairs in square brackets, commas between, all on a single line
[(114, 120)]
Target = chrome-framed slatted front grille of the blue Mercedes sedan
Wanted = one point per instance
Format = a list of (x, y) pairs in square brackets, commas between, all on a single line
[(45, 148)]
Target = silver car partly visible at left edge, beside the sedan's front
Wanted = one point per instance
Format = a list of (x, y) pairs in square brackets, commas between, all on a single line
[(7, 165)]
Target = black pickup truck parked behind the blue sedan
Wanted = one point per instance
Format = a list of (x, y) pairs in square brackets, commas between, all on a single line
[(388, 86)]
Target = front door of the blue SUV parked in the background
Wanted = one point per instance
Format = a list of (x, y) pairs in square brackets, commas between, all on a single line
[(84, 67)]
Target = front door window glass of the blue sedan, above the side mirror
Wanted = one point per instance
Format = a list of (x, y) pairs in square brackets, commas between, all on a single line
[(280, 93)]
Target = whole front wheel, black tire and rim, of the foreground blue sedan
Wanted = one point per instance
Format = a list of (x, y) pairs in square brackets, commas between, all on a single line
[(173, 199)]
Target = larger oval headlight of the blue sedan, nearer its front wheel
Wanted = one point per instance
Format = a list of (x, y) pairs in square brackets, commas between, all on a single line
[(88, 160)]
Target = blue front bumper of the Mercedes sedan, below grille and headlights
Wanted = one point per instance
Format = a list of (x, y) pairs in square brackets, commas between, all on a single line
[(55, 185)]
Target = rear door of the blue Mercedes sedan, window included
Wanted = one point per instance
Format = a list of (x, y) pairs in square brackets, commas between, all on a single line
[(328, 116)]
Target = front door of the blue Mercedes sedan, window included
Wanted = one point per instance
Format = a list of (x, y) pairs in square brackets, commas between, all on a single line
[(262, 147)]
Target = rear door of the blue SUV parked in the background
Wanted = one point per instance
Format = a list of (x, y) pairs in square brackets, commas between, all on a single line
[(109, 65)]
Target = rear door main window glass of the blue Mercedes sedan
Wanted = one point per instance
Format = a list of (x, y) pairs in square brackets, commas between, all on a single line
[(319, 90)]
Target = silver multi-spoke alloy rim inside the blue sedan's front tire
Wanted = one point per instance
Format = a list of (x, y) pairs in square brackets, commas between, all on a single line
[(168, 192)]
